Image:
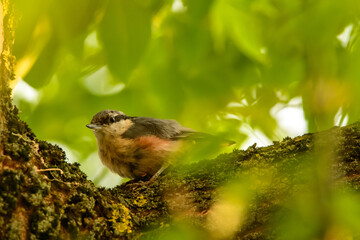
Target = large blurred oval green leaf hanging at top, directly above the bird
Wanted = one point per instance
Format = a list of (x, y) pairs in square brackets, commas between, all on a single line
[(124, 33)]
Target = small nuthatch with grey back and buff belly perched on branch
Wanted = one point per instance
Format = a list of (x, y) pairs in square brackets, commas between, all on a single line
[(135, 147)]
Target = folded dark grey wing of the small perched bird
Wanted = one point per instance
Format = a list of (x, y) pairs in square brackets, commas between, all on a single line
[(162, 128)]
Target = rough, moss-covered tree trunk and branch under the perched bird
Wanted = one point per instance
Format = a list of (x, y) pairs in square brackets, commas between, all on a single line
[(44, 197)]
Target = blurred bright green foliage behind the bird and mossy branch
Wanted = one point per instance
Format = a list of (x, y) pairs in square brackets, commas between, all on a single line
[(227, 67)]
